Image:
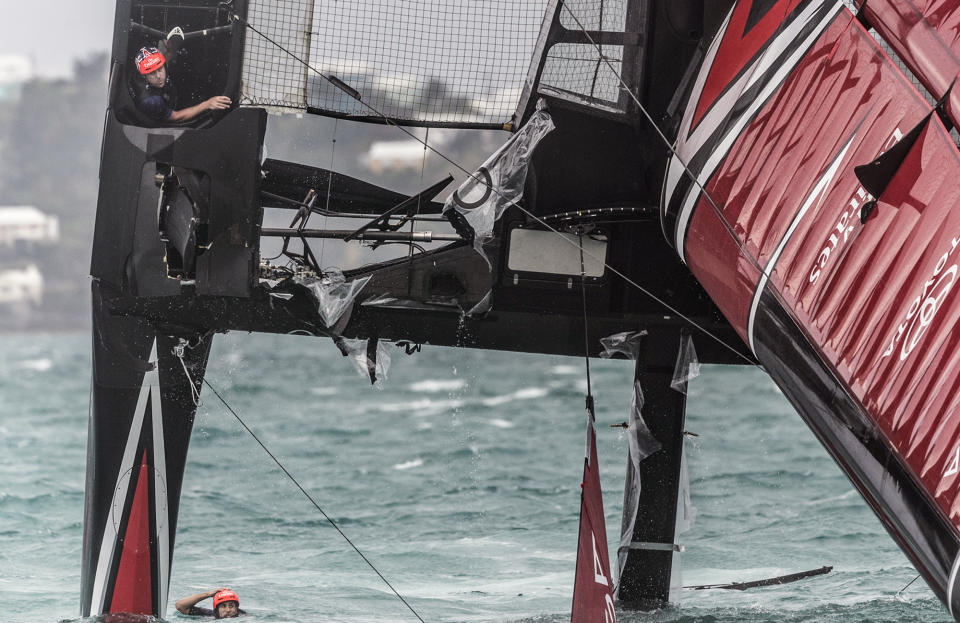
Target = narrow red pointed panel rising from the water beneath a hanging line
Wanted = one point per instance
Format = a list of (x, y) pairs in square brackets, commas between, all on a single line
[(593, 588)]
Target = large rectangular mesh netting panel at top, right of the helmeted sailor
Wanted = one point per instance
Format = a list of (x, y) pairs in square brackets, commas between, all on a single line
[(425, 62)]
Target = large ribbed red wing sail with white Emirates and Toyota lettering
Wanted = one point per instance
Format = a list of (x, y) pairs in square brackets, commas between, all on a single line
[(853, 319)]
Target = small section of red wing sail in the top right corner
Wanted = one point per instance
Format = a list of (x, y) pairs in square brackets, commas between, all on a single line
[(926, 35)]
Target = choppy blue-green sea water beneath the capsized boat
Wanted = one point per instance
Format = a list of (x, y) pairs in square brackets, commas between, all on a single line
[(459, 480)]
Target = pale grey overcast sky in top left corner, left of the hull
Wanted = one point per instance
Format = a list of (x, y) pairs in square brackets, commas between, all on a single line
[(53, 33)]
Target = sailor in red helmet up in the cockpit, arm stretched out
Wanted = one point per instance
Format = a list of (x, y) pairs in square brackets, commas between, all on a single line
[(152, 91)]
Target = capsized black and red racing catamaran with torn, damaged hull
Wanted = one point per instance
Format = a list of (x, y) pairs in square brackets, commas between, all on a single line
[(790, 240)]
